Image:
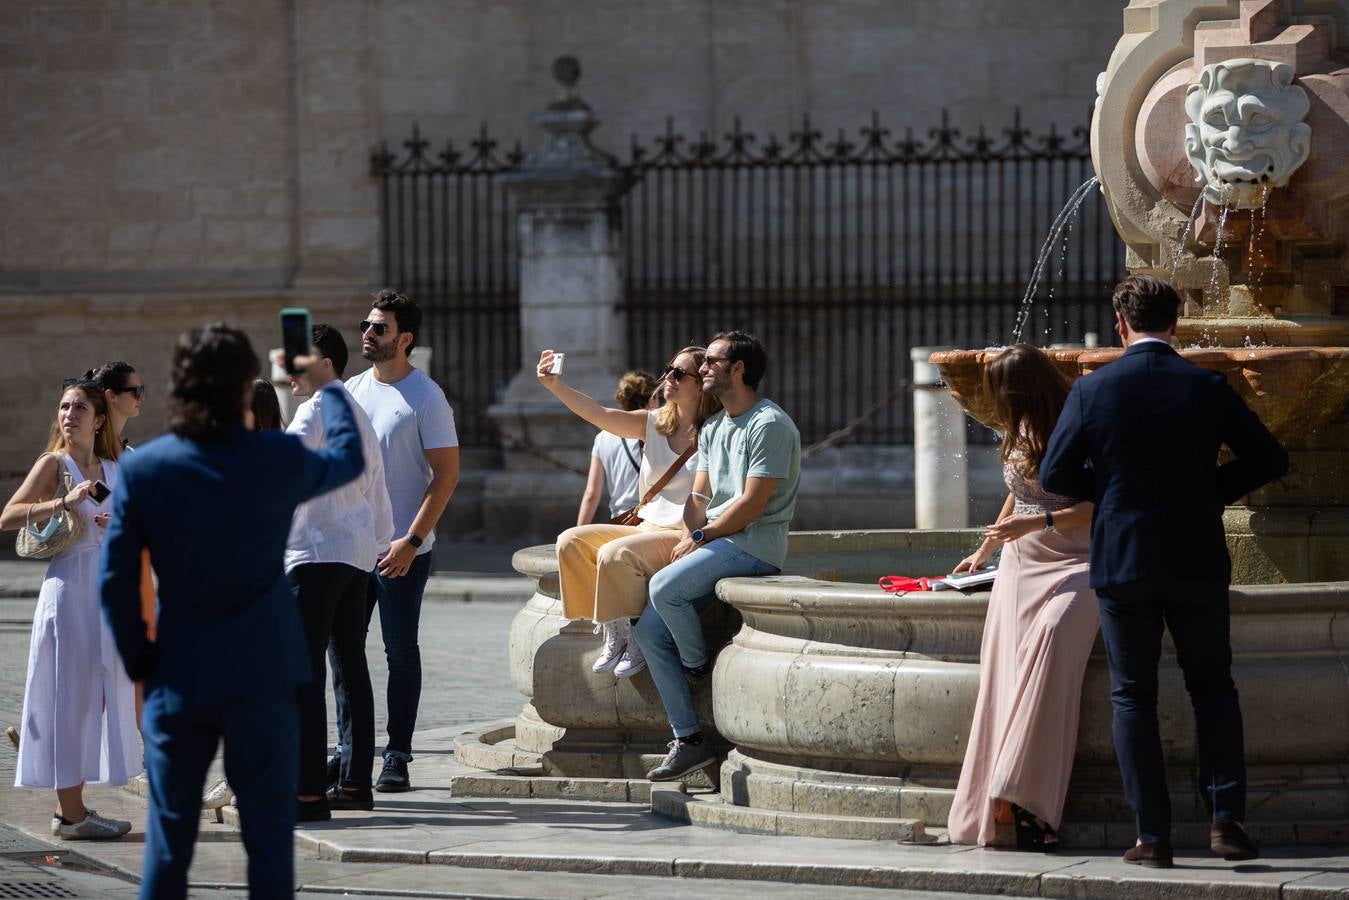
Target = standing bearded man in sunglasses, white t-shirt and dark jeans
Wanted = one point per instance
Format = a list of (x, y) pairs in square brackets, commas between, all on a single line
[(416, 430)]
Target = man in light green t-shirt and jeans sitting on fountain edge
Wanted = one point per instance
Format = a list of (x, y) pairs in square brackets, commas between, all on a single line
[(736, 522)]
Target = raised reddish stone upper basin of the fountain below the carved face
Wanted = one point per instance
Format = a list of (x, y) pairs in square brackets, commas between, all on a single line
[(1296, 391)]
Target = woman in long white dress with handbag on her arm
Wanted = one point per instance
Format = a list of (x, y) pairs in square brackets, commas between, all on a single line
[(79, 706)]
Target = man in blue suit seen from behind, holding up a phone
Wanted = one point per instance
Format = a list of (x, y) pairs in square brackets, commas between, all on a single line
[(212, 503)]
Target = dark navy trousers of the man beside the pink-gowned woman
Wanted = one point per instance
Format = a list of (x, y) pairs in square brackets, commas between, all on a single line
[(1197, 615)]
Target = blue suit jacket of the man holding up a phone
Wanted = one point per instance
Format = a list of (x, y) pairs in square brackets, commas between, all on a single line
[(217, 517)]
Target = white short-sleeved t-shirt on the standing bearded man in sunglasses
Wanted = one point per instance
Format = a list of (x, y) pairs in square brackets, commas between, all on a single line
[(411, 416)]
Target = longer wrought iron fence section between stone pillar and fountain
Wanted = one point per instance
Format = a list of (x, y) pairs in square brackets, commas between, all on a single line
[(844, 254)]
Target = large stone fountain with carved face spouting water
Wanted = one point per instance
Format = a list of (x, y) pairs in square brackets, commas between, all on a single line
[(1222, 141)]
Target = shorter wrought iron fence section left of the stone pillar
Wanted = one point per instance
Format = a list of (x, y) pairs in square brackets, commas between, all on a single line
[(450, 242)]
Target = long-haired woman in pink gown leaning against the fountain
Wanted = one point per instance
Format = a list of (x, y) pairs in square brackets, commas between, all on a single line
[(1041, 627)]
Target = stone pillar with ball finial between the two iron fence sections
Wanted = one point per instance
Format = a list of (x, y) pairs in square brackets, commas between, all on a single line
[(567, 195)]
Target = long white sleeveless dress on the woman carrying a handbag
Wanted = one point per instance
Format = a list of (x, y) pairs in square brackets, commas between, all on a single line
[(79, 706)]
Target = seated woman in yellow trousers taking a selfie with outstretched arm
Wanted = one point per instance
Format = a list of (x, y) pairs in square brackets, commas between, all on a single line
[(605, 569)]
